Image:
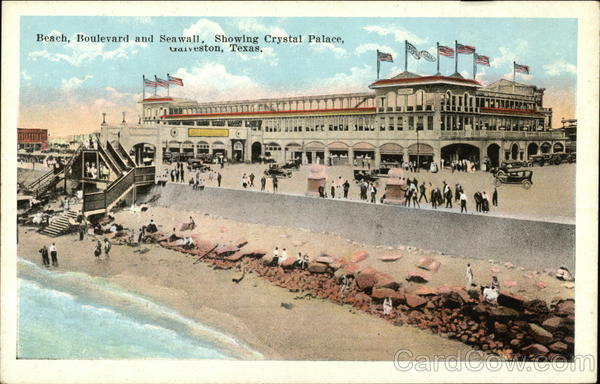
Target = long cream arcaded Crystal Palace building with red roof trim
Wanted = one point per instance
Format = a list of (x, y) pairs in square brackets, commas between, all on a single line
[(405, 118)]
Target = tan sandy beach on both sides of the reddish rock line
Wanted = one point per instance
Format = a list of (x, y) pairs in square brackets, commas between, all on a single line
[(311, 329)]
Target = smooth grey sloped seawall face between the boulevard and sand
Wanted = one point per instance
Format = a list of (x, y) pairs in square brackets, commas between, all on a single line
[(531, 244)]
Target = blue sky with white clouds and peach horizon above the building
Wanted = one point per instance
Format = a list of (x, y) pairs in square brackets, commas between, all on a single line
[(65, 87)]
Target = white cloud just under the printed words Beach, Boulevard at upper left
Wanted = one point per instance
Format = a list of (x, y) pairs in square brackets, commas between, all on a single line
[(78, 53)]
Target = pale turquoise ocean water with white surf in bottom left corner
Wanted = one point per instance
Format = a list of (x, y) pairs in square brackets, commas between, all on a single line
[(66, 315)]
